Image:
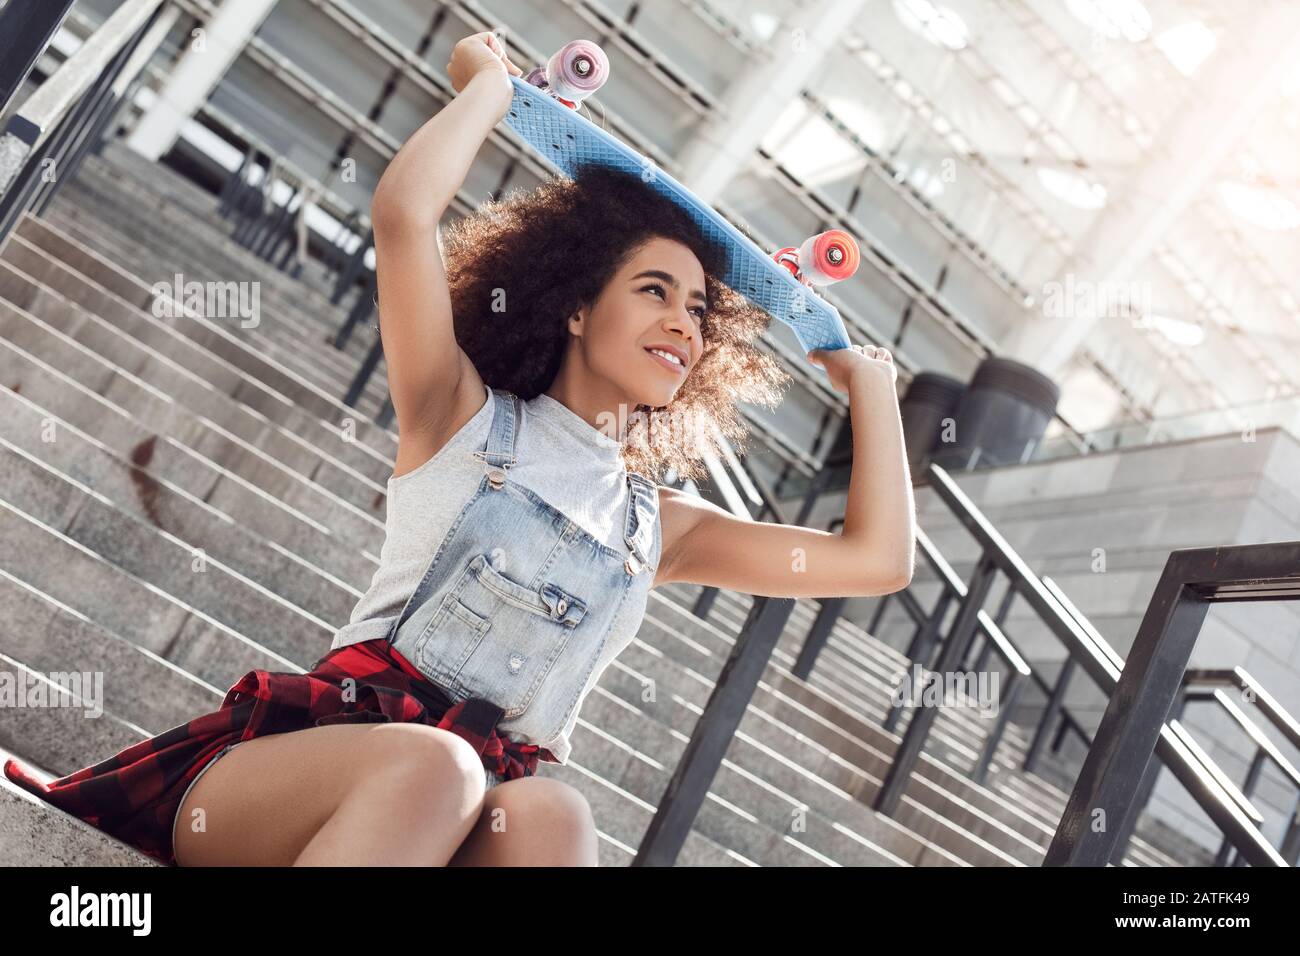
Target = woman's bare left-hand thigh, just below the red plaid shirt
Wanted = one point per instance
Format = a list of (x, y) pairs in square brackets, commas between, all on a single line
[(265, 801)]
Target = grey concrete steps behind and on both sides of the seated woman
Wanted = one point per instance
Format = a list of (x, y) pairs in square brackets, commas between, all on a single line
[(184, 500)]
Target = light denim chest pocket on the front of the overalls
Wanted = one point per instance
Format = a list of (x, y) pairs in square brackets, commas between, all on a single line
[(497, 639)]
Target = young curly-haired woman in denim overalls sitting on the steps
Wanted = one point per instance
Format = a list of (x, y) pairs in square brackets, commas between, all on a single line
[(549, 360)]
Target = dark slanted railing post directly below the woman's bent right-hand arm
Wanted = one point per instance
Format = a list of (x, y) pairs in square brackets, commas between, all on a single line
[(679, 807)]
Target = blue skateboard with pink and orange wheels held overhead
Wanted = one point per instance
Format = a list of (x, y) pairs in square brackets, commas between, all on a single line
[(544, 114)]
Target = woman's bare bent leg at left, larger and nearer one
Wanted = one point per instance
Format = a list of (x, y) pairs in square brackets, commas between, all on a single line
[(379, 794)]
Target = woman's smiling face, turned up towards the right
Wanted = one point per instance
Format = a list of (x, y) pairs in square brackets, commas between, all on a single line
[(644, 332)]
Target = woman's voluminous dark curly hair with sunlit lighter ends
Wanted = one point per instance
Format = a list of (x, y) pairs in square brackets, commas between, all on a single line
[(525, 248)]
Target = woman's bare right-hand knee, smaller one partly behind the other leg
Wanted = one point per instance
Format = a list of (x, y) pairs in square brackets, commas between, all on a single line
[(532, 821)]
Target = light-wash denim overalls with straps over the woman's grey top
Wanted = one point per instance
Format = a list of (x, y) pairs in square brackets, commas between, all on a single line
[(518, 602)]
